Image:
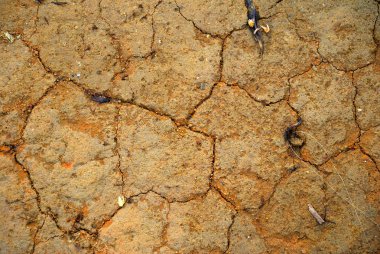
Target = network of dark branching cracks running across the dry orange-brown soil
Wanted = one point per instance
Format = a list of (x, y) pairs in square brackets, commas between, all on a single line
[(121, 102)]
